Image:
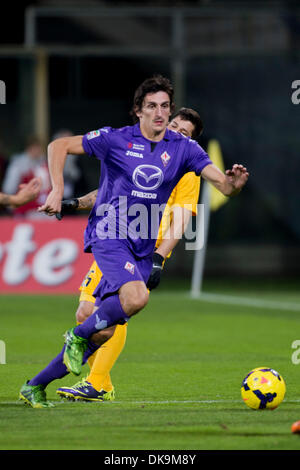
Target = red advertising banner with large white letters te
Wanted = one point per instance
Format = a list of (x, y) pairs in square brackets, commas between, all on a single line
[(42, 256)]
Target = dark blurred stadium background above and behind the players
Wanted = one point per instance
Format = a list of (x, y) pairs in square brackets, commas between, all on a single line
[(75, 65)]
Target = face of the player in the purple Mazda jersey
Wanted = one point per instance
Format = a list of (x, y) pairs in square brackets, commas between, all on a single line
[(155, 114)]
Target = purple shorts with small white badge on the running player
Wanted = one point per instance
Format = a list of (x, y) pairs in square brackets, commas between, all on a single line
[(118, 266)]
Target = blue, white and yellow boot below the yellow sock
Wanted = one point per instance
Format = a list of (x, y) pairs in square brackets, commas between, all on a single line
[(84, 391)]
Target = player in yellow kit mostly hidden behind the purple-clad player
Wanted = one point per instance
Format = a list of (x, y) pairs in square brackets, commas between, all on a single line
[(97, 386)]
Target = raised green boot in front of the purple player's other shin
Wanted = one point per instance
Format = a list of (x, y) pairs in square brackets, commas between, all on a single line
[(74, 351)]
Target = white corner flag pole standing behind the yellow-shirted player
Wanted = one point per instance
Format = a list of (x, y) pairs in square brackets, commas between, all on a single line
[(203, 218)]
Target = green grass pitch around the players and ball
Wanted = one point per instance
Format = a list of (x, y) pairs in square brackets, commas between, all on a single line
[(177, 381)]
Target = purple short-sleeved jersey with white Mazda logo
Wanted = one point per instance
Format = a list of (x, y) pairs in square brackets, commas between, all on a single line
[(137, 178)]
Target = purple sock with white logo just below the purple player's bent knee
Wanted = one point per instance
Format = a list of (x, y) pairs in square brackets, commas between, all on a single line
[(110, 312)]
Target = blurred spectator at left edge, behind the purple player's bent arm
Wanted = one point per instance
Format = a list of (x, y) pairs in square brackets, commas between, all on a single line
[(22, 168)]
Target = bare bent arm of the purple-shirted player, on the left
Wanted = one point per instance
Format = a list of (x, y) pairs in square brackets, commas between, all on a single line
[(57, 154)]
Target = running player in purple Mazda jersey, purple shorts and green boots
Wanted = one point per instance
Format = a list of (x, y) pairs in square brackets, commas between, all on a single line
[(140, 166)]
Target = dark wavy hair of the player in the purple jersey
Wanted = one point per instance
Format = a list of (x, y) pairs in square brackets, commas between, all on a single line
[(151, 85)]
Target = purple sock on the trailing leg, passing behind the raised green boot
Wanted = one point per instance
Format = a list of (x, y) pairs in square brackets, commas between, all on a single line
[(56, 368)]
